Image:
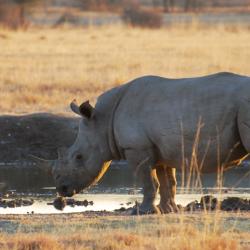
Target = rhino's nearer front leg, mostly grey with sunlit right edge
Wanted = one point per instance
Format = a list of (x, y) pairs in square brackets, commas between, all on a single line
[(142, 165)]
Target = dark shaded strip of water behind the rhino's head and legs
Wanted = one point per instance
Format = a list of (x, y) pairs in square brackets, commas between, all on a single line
[(32, 179)]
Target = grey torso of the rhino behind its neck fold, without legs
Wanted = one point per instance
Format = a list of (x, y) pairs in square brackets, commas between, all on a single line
[(164, 113)]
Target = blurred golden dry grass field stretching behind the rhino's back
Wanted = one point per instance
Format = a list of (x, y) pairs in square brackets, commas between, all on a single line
[(44, 69)]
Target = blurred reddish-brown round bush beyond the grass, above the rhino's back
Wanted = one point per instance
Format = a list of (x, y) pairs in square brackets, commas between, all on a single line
[(142, 18)]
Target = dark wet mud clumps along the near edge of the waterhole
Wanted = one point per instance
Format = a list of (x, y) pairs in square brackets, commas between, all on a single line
[(206, 203)]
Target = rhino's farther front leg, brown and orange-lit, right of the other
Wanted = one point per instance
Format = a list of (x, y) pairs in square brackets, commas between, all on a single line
[(167, 179)]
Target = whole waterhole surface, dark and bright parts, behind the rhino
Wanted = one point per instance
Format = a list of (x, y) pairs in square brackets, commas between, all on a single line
[(114, 191)]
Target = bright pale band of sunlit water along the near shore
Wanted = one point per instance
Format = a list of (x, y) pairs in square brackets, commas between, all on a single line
[(106, 201)]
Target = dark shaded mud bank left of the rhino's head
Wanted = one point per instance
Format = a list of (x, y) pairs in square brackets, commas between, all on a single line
[(38, 134)]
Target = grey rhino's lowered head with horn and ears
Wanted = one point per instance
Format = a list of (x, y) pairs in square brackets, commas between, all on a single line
[(85, 162)]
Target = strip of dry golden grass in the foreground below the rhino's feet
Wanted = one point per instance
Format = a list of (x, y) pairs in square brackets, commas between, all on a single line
[(200, 231)]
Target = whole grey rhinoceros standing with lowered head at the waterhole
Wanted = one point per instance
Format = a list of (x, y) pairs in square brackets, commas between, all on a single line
[(159, 125)]
